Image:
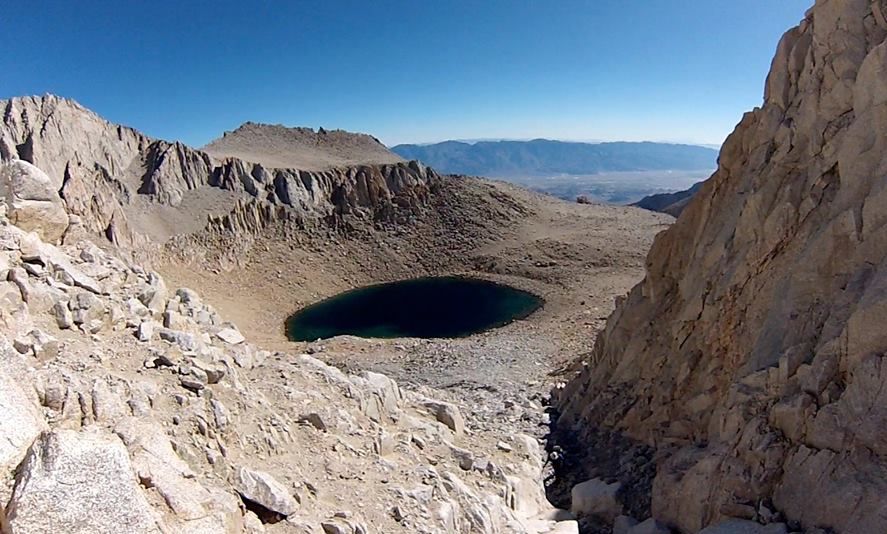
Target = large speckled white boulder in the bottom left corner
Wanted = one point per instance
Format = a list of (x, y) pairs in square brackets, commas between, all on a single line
[(78, 482)]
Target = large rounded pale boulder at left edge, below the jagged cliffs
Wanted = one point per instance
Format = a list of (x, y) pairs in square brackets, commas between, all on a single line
[(32, 202)]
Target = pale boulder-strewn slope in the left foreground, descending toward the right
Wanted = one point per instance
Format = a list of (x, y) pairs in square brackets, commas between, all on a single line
[(128, 404)]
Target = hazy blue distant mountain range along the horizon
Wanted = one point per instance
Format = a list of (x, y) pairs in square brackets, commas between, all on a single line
[(502, 159)]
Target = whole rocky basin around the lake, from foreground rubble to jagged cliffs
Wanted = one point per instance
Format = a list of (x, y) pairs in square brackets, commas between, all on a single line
[(107, 376)]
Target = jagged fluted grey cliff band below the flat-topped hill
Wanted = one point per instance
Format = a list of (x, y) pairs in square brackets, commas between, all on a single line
[(122, 184)]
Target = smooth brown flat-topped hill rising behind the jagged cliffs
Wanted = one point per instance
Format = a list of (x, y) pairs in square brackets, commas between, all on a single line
[(300, 148)]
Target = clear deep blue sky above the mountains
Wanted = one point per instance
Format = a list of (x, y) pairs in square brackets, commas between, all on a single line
[(405, 71)]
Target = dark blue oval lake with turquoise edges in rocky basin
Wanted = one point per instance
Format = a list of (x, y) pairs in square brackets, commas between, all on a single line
[(438, 307)]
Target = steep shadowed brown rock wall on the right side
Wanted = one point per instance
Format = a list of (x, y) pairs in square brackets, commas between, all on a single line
[(753, 353)]
